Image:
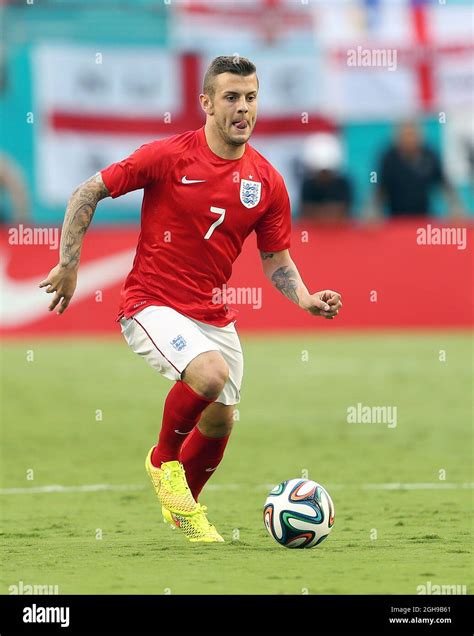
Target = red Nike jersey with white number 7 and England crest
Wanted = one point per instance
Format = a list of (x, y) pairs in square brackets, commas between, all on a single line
[(197, 210)]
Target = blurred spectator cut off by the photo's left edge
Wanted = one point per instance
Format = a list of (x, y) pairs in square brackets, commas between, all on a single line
[(14, 205)]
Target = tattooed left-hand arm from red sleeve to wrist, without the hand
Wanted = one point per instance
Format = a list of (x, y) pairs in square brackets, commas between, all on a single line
[(79, 213)]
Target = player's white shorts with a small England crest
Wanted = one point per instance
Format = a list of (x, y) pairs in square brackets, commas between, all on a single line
[(168, 341)]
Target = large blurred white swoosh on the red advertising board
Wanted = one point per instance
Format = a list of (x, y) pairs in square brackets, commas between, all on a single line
[(24, 302)]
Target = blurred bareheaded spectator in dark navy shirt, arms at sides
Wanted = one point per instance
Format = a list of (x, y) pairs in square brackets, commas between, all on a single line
[(409, 171)]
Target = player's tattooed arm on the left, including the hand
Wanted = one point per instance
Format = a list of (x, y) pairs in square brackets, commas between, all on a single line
[(62, 279)]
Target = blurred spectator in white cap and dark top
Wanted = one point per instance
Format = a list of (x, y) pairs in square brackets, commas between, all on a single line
[(326, 194)]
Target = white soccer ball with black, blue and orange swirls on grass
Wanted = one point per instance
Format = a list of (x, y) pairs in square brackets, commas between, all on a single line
[(298, 513)]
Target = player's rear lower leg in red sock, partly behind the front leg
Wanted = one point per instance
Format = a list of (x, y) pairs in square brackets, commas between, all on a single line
[(204, 448)]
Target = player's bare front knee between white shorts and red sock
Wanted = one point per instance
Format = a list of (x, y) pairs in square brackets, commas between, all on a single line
[(207, 374)]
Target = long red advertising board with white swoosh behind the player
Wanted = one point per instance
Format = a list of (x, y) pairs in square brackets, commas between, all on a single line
[(395, 275)]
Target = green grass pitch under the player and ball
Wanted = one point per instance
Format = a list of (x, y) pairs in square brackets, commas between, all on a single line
[(293, 417)]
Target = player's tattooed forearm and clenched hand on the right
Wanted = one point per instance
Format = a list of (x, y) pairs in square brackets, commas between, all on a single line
[(283, 274)]
